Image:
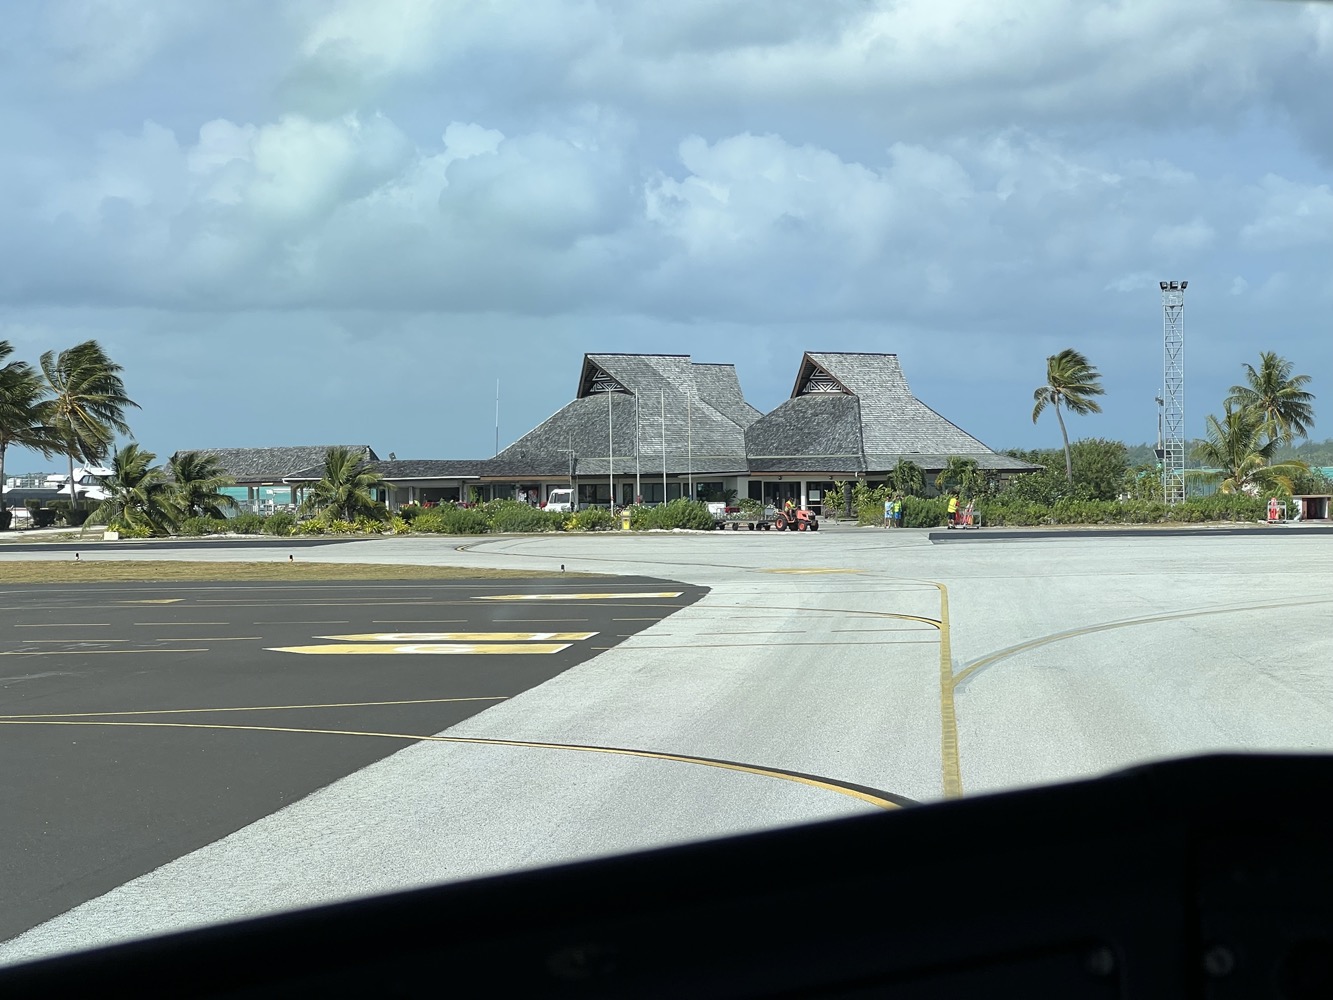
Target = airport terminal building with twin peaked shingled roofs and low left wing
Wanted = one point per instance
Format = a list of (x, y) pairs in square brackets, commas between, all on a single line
[(658, 427)]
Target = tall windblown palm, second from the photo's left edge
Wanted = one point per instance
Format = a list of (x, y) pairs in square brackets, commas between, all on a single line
[(87, 403)]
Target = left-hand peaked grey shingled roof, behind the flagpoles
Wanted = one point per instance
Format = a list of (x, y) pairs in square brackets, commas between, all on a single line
[(704, 422)]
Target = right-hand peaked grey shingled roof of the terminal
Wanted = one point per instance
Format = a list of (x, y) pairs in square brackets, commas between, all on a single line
[(855, 413)]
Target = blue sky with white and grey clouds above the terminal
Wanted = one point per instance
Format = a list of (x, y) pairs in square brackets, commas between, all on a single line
[(317, 222)]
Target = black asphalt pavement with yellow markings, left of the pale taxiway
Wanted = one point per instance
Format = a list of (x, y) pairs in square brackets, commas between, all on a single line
[(89, 806)]
